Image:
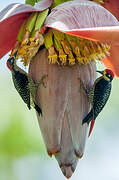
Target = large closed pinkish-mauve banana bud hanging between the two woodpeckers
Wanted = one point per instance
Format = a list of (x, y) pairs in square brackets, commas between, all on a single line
[(64, 105)]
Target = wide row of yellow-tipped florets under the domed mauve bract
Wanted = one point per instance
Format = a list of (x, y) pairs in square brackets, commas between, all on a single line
[(69, 50)]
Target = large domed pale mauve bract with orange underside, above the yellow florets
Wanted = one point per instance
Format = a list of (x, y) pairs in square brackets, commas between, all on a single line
[(84, 19)]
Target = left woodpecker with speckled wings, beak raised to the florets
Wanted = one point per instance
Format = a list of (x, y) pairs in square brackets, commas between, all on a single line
[(24, 84)]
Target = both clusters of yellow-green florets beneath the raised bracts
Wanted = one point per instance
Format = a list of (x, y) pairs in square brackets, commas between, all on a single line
[(63, 49)]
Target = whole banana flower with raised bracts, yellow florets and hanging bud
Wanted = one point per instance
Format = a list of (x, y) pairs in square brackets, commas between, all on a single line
[(63, 41)]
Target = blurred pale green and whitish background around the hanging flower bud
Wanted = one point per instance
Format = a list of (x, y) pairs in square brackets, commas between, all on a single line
[(22, 151)]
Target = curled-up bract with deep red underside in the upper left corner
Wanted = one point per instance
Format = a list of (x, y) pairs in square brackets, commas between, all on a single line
[(11, 19)]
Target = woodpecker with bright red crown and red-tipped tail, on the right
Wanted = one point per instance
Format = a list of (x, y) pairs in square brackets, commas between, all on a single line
[(98, 96)]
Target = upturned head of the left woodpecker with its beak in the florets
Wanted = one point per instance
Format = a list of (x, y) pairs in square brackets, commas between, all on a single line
[(11, 62)]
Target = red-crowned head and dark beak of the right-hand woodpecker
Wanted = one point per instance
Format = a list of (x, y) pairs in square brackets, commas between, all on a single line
[(108, 75)]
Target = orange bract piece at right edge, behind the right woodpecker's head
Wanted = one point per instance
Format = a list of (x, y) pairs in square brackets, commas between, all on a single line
[(112, 62)]
